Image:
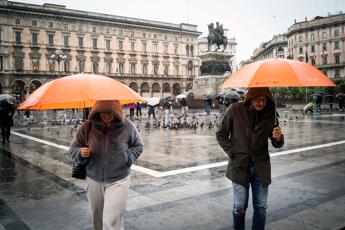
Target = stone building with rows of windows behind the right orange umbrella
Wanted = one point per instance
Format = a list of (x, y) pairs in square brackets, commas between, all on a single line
[(320, 42)]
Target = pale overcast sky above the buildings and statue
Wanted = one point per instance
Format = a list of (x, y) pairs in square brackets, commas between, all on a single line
[(249, 21)]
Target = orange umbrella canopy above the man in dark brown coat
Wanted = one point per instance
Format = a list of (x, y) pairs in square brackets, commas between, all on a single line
[(277, 72)]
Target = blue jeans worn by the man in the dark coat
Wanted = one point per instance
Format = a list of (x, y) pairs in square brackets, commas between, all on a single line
[(241, 195)]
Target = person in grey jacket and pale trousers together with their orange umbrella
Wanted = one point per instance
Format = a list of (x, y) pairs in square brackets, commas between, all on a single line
[(107, 144)]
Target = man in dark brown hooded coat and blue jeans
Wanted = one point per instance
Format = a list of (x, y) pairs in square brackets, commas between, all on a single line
[(243, 134)]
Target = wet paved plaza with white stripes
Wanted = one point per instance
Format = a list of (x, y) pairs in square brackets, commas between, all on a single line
[(178, 182)]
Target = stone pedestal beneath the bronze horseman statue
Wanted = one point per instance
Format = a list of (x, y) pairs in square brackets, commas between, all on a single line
[(215, 69)]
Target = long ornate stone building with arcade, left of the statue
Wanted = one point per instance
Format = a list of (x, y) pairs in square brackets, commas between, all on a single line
[(153, 58)]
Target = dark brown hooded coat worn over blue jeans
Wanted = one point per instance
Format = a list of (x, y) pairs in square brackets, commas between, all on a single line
[(244, 134)]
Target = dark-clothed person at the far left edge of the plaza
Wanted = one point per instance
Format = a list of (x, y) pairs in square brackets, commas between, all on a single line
[(6, 120)]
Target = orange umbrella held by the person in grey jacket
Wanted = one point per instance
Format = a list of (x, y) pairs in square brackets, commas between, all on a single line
[(79, 91)]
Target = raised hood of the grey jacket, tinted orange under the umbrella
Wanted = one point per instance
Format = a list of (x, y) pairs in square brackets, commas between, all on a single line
[(110, 106)]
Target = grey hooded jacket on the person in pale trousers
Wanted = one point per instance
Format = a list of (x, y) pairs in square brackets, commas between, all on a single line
[(114, 147)]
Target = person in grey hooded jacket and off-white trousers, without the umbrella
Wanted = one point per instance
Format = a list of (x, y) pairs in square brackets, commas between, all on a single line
[(109, 149)]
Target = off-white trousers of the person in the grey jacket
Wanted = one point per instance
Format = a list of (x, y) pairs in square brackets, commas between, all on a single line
[(107, 202)]
